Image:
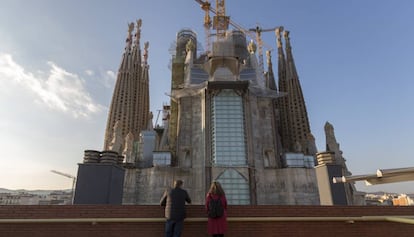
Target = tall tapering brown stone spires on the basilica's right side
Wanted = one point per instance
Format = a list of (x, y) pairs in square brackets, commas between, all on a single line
[(294, 127)]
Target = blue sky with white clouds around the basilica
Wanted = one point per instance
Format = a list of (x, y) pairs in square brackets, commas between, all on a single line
[(58, 63)]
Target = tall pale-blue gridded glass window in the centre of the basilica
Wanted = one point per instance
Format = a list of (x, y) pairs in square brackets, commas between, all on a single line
[(229, 144)]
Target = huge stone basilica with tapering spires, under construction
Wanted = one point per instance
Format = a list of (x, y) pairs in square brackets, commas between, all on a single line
[(229, 119)]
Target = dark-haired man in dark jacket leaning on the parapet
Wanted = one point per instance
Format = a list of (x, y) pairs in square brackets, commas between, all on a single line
[(174, 202)]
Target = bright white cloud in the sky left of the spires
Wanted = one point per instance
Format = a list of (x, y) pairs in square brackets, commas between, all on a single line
[(58, 89)]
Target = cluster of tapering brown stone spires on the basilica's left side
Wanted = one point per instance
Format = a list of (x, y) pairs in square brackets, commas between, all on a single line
[(129, 112)]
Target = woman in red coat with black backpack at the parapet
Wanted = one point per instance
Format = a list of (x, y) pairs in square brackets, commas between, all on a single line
[(218, 225)]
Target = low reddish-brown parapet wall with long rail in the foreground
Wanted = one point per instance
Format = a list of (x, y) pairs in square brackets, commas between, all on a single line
[(266, 220)]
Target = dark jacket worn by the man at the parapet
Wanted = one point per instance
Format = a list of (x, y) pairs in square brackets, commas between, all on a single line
[(174, 202)]
